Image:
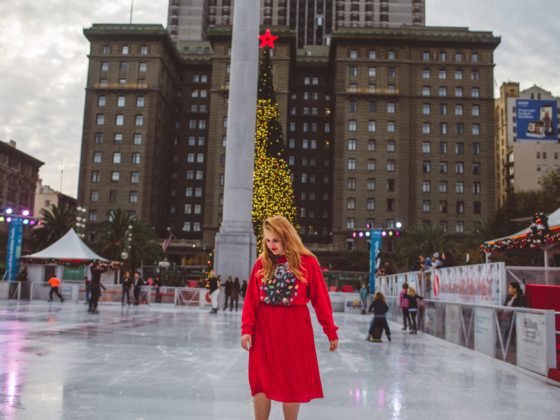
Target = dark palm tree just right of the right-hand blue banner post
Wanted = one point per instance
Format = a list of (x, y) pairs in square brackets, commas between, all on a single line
[(421, 239)]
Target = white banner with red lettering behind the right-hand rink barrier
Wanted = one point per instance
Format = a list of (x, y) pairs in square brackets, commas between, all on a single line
[(481, 283)]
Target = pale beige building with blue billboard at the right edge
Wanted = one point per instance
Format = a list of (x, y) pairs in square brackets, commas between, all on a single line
[(522, 158)]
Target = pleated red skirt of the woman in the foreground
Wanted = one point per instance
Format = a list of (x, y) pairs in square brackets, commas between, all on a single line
[(282, 360)]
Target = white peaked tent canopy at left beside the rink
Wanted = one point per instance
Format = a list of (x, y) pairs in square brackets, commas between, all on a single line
[(68, 248)]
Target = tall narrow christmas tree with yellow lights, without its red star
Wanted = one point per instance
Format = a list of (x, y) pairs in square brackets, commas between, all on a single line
[(273, 192)]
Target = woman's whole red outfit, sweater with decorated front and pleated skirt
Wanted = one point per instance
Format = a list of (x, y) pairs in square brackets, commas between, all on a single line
[(282, 360)]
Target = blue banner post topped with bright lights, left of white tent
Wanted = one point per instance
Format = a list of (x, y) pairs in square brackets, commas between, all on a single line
[(16, 222)]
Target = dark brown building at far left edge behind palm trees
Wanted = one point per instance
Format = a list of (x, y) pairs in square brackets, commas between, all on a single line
[(19, 173)]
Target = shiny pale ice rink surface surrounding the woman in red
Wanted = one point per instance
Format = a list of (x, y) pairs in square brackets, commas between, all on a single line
[(166, 363)]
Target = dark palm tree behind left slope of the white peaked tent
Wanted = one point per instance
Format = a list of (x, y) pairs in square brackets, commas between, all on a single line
[(54, 224)]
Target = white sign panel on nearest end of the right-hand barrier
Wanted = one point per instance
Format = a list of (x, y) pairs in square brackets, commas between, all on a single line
[(536, 341)]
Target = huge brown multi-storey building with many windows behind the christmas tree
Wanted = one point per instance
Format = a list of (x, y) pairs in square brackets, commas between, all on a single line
[(382, 125)]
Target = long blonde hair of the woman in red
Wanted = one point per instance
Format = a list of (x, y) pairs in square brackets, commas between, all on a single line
[(293, 247)]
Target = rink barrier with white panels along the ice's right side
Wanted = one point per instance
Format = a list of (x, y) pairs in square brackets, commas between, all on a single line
[(520, 336)]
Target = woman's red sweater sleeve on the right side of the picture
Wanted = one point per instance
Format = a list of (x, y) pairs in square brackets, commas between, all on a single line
[(320, 298)]
